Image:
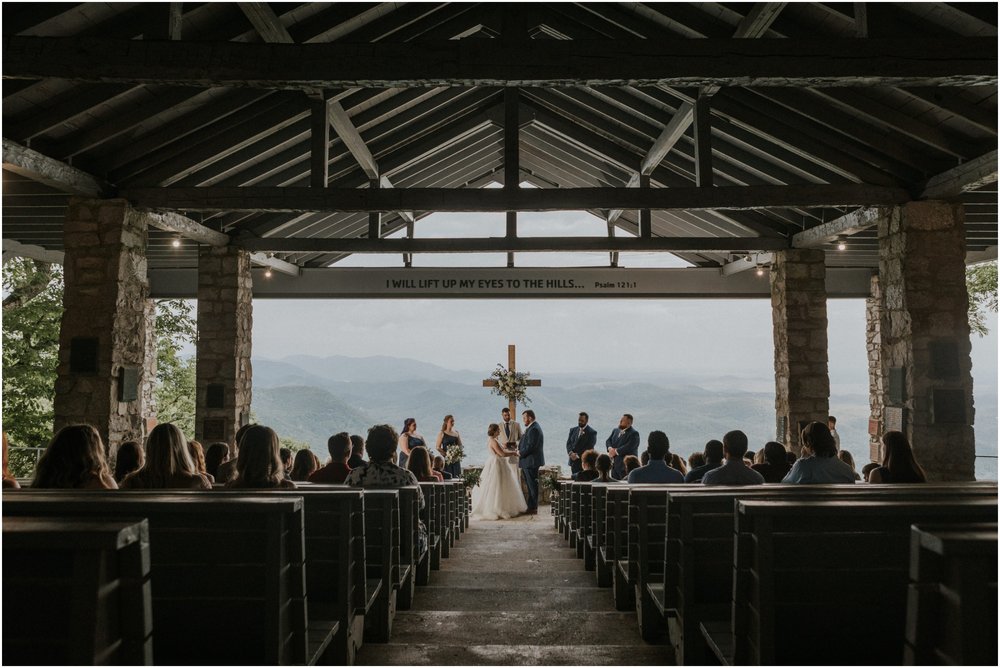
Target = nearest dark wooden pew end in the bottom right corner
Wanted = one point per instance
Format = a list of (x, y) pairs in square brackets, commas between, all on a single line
[(951, 611)]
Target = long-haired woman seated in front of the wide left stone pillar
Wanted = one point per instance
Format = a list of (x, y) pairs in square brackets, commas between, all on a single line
[(74, 459)]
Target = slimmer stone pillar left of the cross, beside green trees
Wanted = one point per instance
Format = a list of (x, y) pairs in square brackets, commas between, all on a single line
[(225, 318)]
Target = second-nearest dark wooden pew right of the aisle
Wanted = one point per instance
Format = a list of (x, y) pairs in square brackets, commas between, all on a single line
[(829, 570)]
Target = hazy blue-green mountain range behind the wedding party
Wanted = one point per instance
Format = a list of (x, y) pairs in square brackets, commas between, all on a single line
[(308, 398)]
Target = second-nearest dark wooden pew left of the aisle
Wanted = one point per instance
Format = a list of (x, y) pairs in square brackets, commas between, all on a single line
[(236, 565)]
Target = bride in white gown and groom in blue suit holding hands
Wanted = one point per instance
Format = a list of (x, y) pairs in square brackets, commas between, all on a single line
[(511, 448)]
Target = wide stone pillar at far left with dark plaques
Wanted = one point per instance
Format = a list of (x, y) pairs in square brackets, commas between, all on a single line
[(103, 337)]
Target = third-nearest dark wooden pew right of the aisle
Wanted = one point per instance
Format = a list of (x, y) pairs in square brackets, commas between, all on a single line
[(698, 551)]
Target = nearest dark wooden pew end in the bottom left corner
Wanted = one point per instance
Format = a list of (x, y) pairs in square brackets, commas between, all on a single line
[(76, 592)]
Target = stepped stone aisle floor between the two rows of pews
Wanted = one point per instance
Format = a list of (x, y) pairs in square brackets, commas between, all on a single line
[(513, 593)]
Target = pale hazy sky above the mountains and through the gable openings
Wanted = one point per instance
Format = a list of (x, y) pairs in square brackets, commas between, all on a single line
[(607, 336)]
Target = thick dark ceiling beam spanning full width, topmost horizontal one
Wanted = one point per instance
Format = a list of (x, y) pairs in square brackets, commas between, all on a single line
[(966, 61)]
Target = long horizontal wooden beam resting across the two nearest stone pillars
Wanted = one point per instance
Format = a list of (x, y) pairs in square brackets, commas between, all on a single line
[(470, 200)]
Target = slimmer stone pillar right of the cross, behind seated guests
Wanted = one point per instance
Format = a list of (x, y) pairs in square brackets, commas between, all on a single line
[(801, 373)]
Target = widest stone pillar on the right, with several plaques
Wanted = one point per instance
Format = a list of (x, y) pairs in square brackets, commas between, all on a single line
[(925, 336)]
